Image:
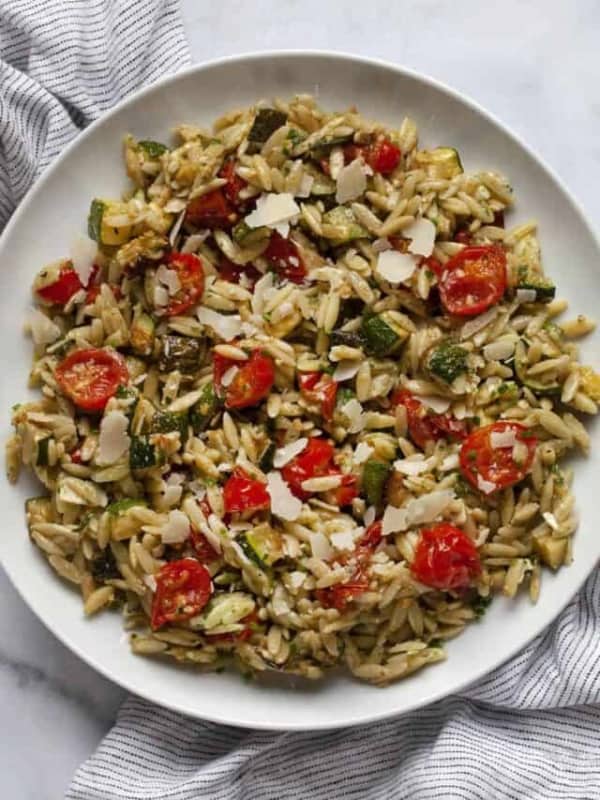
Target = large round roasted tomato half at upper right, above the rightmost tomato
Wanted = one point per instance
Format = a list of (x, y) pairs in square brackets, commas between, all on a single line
[(473, 280)]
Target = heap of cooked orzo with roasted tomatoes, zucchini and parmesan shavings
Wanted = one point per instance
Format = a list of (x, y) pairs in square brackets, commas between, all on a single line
[(304, 400)]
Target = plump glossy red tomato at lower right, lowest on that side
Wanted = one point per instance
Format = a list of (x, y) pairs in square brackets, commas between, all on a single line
[(445, 558)]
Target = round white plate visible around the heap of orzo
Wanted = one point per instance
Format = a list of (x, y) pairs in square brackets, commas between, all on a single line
[(57, 207)]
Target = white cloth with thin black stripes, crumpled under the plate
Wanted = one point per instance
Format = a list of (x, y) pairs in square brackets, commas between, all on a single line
[(530, 731)]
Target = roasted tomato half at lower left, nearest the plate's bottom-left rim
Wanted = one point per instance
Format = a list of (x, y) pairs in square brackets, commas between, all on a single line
[(183, 588)]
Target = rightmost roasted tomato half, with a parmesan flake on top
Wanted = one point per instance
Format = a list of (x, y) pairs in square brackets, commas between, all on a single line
[(495, 465)]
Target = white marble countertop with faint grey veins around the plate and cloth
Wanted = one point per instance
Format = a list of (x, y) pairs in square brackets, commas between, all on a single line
[(533, 64)]
